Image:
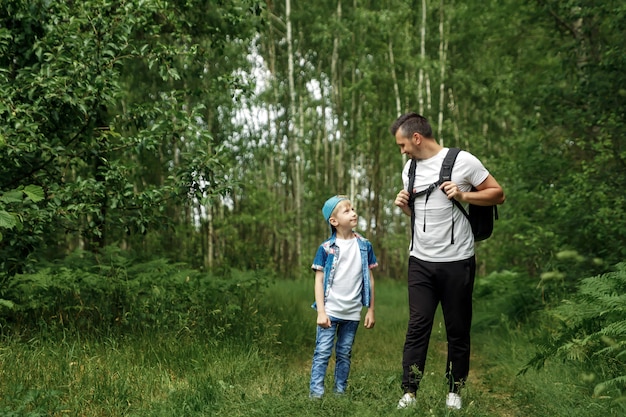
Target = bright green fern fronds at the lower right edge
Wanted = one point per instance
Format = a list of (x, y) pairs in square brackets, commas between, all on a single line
[(590, 327)]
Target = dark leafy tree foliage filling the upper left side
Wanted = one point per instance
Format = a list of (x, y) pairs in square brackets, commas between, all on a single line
[(114, 159)]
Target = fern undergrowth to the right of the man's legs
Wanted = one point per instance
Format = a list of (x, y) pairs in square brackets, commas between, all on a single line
[(585, 331)]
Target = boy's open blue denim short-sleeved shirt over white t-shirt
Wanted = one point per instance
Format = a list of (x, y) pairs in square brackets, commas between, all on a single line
[(326, 260)]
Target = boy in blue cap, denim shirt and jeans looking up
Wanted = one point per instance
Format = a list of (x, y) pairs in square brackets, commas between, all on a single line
[(343, 285)]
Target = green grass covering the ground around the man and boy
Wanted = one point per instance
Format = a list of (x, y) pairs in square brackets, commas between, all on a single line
[(183, 375)]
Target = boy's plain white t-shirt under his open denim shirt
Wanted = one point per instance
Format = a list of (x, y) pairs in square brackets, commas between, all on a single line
[(344, 296)]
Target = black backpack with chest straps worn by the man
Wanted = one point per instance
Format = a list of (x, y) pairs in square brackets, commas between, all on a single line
[(480, 217)]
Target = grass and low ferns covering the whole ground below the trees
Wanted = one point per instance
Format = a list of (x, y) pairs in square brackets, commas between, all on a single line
[(112, 336)]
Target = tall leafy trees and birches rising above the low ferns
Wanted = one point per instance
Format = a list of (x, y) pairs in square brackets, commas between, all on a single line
[(136, 119)]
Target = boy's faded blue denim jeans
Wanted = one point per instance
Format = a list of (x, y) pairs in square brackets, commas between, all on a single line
[(345, 330)]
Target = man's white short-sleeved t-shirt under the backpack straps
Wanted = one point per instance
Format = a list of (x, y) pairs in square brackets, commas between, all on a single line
[(434, 219)]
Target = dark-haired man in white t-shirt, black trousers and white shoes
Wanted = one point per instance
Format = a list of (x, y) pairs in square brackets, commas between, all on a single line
[(442, 265)]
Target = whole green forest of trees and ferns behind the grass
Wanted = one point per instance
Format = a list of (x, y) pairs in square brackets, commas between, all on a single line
[(163, 164)]
